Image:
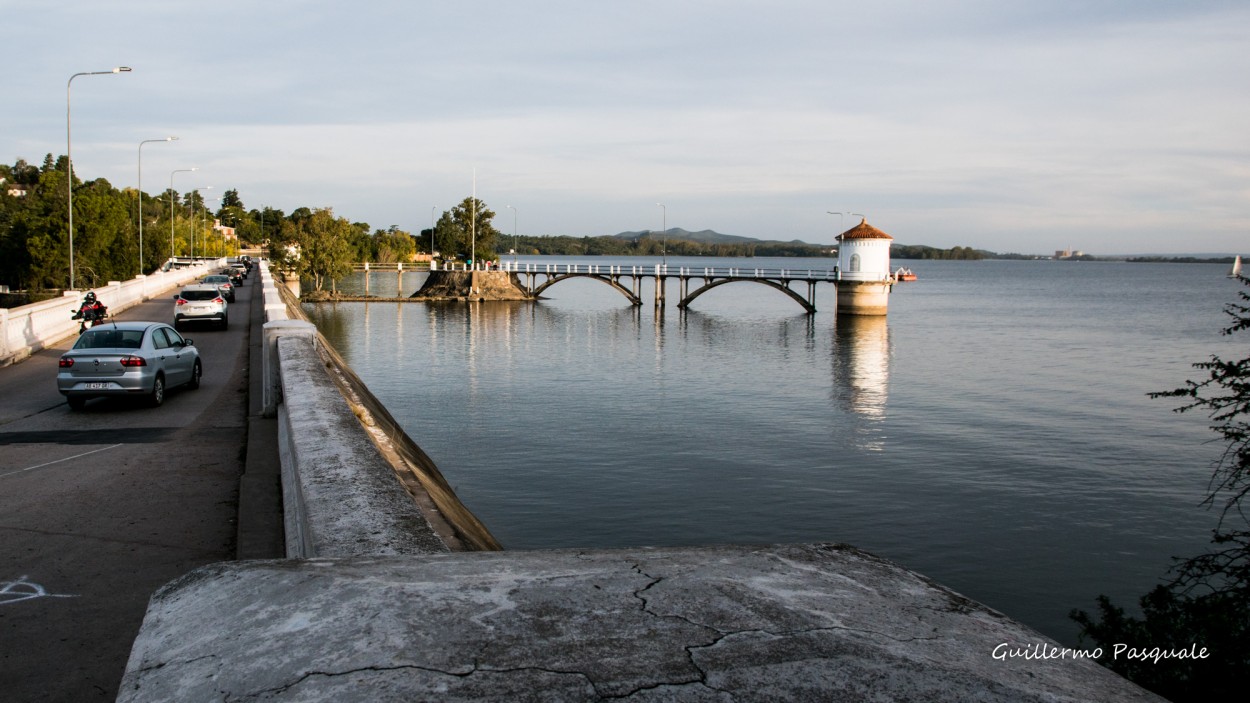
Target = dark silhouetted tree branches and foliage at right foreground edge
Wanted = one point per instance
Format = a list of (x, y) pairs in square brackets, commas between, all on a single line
[(1207, 604)]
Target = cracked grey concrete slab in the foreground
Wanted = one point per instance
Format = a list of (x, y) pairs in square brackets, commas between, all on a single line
[(812, 622)]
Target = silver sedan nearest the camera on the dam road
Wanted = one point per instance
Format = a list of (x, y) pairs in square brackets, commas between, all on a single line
[(128, 360)]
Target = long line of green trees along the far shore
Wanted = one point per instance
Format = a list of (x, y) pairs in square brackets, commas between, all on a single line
[(34, 235)]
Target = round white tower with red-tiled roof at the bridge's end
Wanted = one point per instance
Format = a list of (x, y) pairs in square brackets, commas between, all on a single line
[(864, 271)]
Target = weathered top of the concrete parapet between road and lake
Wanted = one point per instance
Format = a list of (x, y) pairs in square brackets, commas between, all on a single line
[(341, 498)]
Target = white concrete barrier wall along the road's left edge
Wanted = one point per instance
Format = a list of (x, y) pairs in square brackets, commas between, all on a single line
[(29, 328)]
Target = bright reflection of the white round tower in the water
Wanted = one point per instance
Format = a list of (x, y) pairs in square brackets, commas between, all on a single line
[(862, 375)]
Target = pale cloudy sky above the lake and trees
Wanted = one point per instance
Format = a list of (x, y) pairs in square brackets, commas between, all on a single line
[(1112, 127)]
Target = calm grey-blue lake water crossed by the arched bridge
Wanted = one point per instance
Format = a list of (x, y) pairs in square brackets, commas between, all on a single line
[(993, 433)]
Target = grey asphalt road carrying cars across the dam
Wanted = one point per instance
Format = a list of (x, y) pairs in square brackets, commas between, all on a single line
[(99, 508)]
